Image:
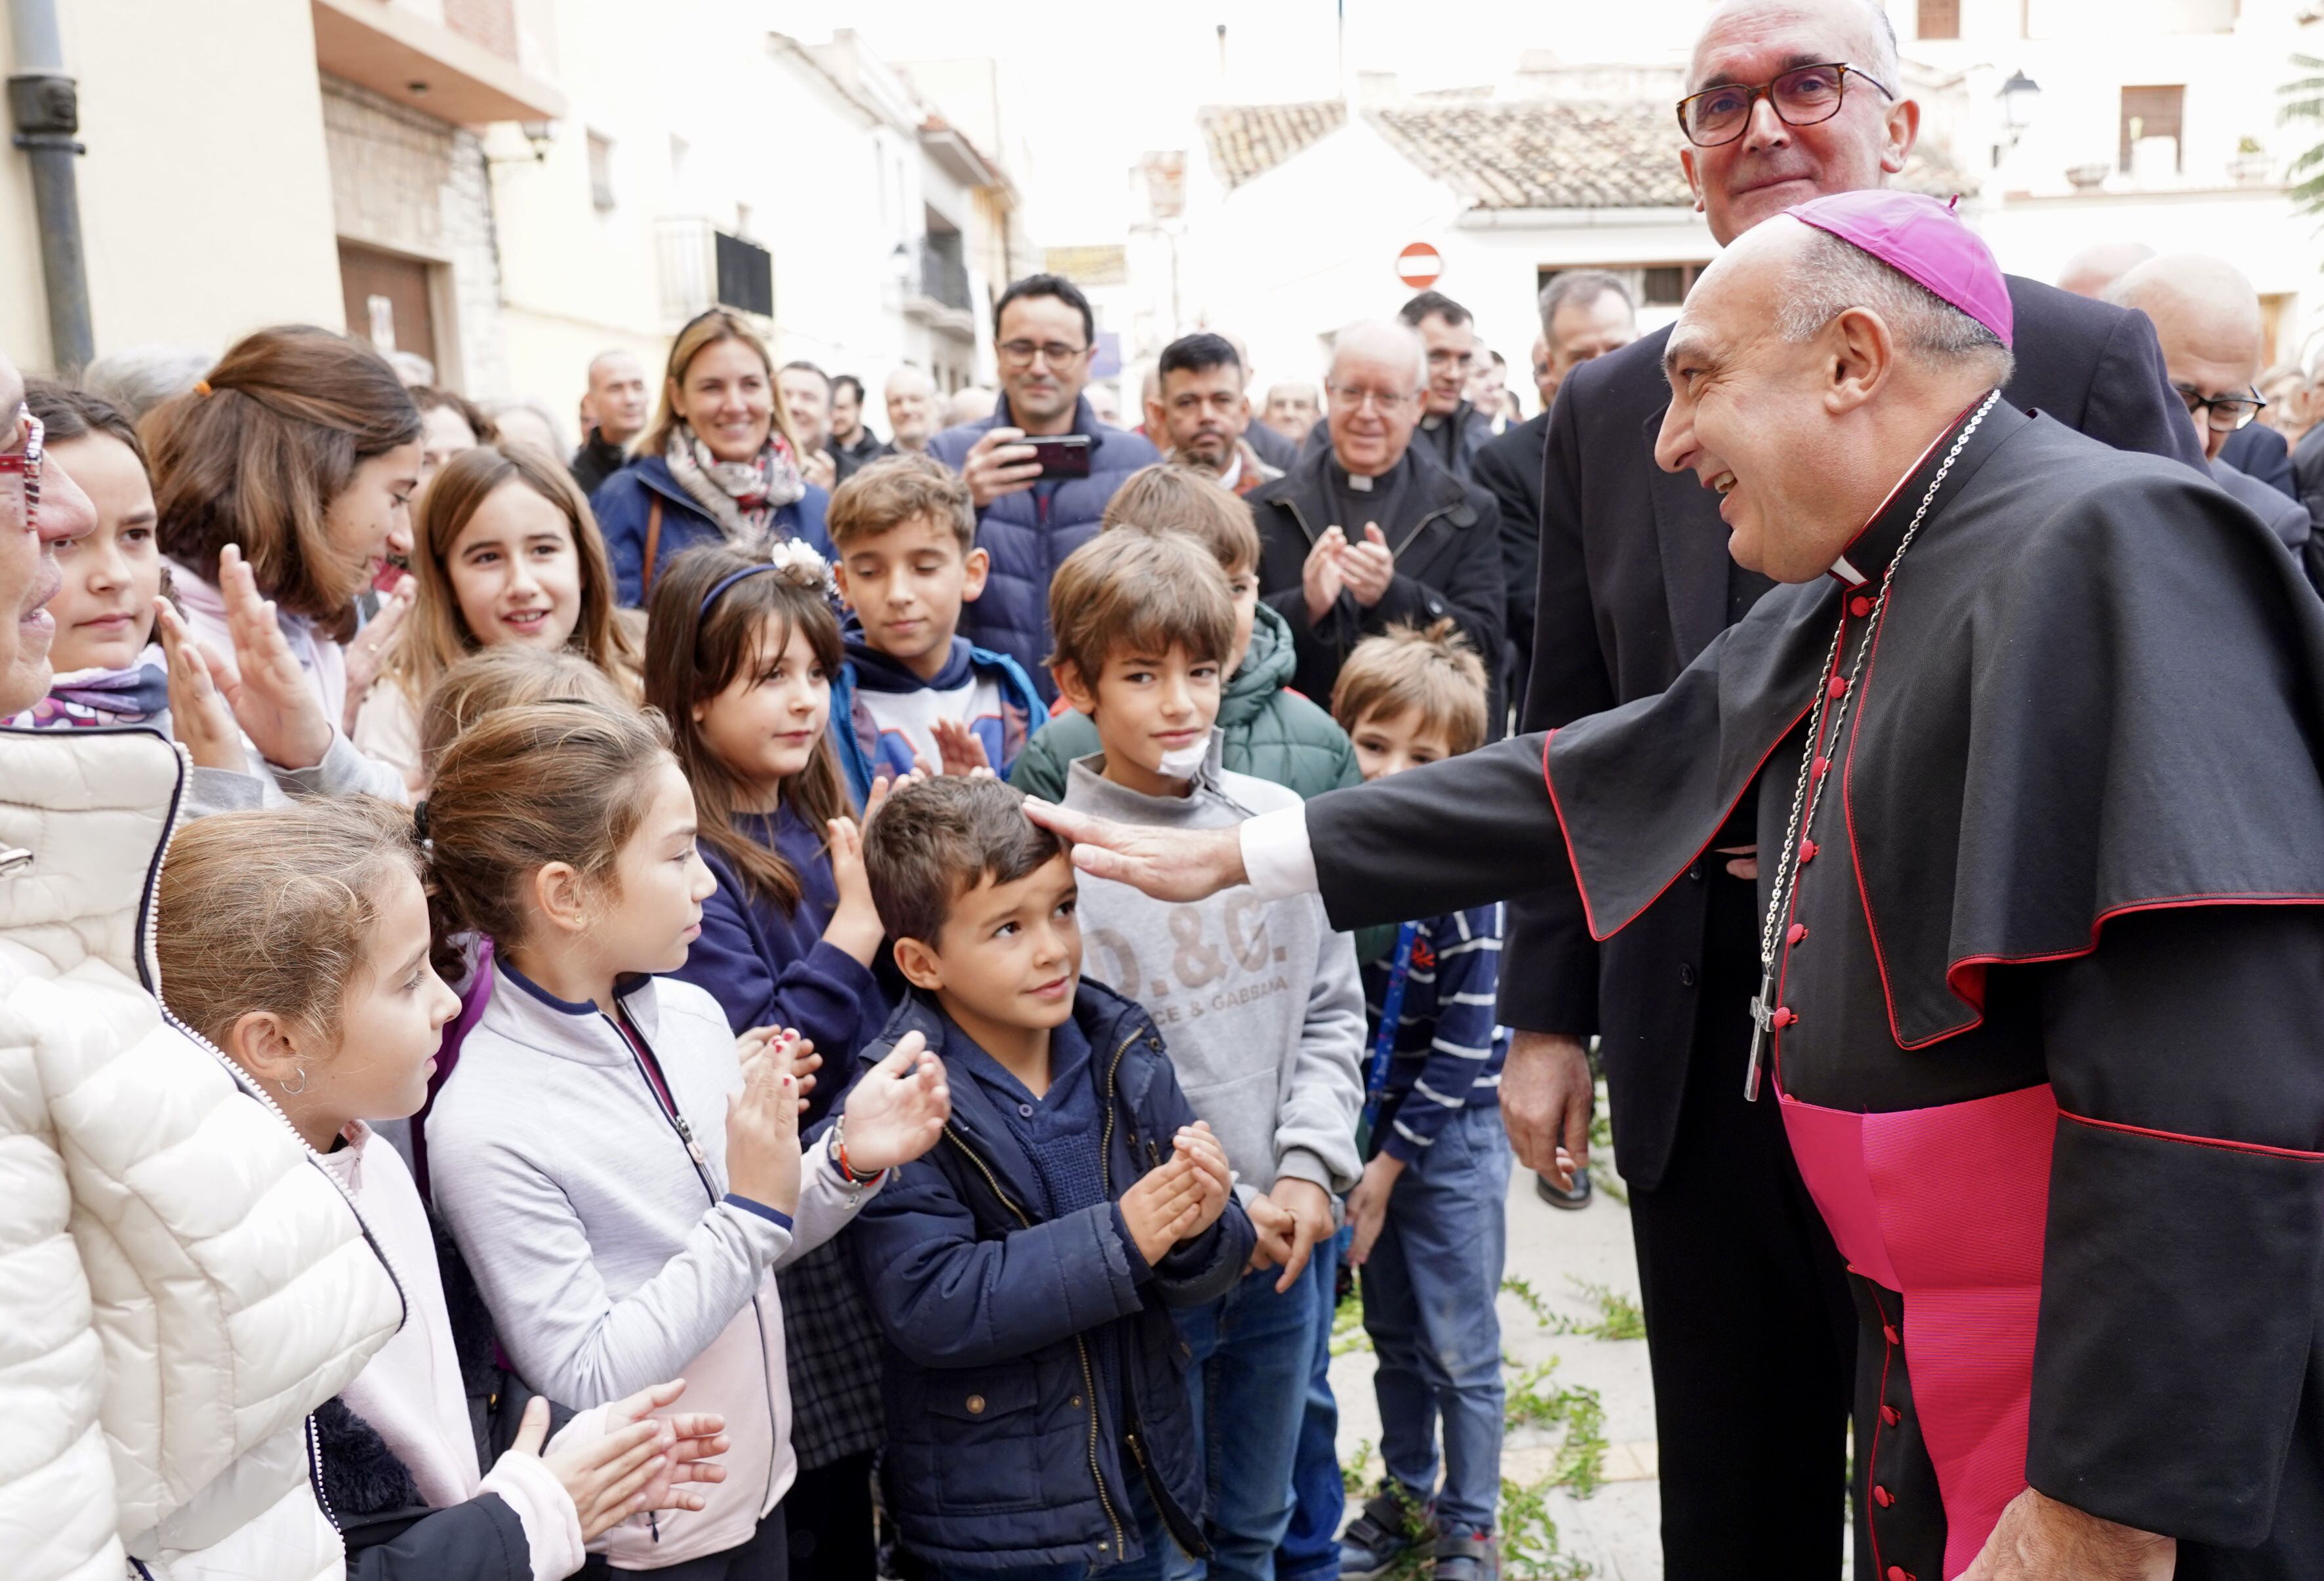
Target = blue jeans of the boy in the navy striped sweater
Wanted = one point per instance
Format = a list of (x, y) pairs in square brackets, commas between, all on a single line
[(1428, 1308)]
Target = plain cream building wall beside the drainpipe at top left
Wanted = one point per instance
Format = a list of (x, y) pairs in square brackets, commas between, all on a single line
[(206, 194)]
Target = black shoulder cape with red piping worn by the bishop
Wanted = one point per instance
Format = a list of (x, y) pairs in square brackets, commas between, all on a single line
[(2102, 692)]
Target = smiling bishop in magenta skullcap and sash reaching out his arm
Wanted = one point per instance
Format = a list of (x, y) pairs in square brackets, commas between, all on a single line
[(2042, 880)]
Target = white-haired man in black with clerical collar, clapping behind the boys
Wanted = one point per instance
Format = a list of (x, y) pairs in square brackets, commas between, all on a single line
[(1365, 534)]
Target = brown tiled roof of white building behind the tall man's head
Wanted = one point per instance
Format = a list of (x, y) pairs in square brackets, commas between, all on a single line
[(1509, 155)]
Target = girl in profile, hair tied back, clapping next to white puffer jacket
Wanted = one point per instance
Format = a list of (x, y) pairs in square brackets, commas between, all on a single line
[(296, 940)]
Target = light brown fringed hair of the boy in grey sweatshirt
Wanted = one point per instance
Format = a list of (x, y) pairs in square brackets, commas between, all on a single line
[(1140, 592)]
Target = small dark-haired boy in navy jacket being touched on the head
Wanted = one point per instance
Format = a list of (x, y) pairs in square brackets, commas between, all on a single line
[(1024, 1271)]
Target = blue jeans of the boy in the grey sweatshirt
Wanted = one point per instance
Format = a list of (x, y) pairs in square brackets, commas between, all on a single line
[(1251, 1361)]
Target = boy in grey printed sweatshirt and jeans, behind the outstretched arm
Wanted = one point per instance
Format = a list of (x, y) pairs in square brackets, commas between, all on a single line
[(1261, 1003)]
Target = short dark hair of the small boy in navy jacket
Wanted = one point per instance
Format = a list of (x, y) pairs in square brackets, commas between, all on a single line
[(940, 838)]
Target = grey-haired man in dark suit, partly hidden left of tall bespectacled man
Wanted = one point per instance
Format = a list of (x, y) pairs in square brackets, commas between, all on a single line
[(1584, 315)]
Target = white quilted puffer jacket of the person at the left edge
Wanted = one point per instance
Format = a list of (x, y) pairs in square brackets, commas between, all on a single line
[(180, 1287)]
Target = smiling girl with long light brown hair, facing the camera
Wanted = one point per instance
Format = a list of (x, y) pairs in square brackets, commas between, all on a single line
[(505, 555)]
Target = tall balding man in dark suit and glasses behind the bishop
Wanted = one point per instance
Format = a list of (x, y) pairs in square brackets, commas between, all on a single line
[(1749, 1317)]
